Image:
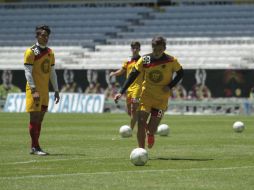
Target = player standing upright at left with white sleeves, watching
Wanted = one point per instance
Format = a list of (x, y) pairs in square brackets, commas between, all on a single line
[(39, 68)]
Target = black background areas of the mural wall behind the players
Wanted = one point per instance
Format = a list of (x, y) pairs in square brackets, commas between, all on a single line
[(221, 83)]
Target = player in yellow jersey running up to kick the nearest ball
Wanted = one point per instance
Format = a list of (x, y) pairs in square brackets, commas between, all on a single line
[(158, 69)]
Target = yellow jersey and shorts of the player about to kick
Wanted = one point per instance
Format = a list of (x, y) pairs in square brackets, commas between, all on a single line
[(158, 73)]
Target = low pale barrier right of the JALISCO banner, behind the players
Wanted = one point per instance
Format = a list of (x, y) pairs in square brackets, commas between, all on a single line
[(215, 106)]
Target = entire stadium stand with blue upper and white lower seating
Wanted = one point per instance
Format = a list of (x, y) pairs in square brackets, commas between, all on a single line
[(95, 34)]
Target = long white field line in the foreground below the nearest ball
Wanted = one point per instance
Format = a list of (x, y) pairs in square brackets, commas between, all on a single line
[(122, 172)]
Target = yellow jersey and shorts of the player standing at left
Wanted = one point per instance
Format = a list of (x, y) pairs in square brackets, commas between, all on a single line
[(41, 59)]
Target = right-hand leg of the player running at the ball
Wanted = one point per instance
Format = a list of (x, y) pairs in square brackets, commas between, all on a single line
[(154, 121)]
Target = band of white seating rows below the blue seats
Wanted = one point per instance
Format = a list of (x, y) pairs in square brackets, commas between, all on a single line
[(234, 55)]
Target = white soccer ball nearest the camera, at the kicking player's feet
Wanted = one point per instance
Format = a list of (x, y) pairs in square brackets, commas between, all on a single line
[(139, 156)]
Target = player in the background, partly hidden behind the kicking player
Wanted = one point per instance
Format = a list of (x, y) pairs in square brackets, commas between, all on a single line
[(133, 92)]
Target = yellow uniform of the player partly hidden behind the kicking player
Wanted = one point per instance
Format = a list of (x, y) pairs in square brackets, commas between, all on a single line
[(134, 90)]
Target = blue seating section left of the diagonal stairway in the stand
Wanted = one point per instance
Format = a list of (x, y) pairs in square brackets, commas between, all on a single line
[(71, 26)]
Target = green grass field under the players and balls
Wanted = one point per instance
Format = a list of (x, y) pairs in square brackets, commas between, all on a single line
[(202, 152)]
